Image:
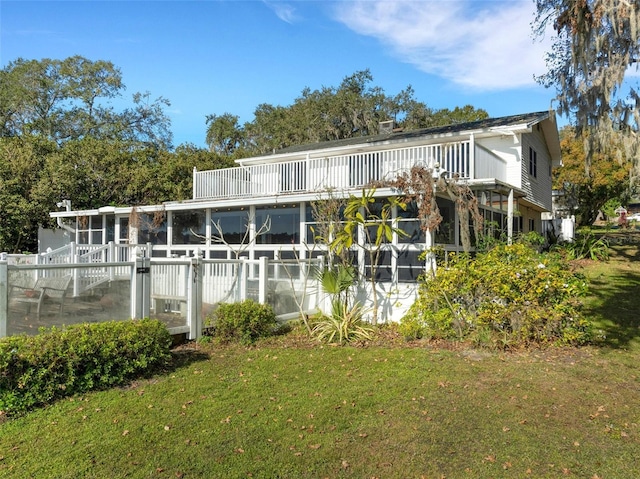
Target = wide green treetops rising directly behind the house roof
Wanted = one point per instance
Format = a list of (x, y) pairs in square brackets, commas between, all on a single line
[(354, 109)]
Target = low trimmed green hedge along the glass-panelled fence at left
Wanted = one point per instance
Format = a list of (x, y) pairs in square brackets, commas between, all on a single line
[(35, 370)]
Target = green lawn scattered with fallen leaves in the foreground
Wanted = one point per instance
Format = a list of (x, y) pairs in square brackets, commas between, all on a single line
[(288, 409)]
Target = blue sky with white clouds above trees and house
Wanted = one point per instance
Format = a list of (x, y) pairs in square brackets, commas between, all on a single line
[(213, 57)]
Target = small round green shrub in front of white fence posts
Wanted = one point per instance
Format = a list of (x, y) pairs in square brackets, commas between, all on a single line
[(243, 322)]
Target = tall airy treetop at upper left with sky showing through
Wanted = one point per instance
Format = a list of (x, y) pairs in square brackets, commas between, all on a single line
[(65, 100)]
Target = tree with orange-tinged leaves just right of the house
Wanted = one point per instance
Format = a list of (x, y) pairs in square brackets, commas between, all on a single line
[(586, 192)]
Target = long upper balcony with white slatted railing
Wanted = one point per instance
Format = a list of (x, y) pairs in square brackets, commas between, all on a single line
[(350, 171)]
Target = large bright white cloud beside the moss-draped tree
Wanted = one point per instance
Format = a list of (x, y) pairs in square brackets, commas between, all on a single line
[(477, 44)]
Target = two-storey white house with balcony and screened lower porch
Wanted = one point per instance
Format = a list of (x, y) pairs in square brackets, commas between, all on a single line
[(506, 161)]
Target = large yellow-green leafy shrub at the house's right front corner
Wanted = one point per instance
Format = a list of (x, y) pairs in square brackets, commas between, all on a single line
[(509, 296)]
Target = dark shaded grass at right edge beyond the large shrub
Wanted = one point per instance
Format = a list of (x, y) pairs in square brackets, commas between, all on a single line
[(615, 302)]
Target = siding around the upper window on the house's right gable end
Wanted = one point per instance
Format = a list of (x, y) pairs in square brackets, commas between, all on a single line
[(538, 188)]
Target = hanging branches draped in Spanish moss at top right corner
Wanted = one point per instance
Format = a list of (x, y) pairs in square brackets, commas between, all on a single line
[(598, 42)]
